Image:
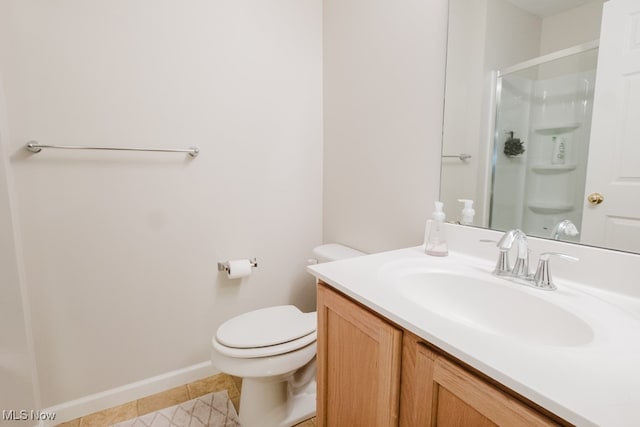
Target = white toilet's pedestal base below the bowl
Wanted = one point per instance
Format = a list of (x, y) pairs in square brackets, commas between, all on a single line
[(274, 403)]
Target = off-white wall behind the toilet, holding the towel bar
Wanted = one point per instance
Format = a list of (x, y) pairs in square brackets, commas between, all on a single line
[(121, 248)]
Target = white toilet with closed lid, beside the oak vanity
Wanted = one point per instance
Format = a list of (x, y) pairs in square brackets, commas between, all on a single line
[(273, 350)]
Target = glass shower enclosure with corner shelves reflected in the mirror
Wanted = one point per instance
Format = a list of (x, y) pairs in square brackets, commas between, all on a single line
[(542, 127)]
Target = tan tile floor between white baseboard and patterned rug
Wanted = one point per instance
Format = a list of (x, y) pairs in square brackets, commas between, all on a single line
[(167, 398)]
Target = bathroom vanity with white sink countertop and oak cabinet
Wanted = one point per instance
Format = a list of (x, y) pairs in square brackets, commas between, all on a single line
[(411, 340)]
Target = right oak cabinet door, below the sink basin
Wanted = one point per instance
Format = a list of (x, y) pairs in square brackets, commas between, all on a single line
[(452, 396)]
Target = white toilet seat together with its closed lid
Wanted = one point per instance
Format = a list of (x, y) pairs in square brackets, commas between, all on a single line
[(266, 332)]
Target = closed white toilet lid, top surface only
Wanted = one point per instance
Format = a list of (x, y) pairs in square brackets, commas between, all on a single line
[(266, 327)]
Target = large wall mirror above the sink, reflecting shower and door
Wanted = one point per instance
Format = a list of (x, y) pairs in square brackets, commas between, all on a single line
[(542, 118)]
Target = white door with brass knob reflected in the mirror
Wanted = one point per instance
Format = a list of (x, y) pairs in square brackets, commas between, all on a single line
[(614, 153)]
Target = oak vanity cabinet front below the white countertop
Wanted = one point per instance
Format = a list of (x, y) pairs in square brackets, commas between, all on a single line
[(373, 373)]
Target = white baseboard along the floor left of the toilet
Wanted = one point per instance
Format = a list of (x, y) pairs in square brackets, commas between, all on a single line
[(117, 396)]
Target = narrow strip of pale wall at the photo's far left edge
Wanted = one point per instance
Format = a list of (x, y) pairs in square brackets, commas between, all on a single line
[(17, 388)]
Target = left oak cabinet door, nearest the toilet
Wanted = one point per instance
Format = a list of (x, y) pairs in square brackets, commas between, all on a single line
[(358, 365)]
